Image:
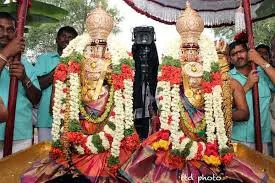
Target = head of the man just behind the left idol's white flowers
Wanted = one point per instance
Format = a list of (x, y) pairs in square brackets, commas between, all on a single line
[(64, 36)]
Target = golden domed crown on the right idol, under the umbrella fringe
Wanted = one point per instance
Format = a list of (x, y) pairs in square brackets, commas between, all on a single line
[(189, 25)]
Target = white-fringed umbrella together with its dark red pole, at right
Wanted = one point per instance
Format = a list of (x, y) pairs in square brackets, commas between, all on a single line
[(215, 13)]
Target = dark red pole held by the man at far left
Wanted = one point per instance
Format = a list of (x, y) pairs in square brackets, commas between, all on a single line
[(21, 19)]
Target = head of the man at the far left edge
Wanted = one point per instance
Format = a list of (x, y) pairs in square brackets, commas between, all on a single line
[(7, 28)]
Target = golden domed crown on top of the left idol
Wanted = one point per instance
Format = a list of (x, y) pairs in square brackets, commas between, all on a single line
[(99, 24)]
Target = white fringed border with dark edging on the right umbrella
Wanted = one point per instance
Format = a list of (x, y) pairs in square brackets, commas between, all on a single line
[(167, 14)]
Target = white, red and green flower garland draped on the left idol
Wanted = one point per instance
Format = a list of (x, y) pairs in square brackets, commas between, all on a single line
[(120, 126)]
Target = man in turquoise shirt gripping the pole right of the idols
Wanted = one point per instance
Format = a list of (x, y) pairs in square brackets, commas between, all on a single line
[(241, 58)]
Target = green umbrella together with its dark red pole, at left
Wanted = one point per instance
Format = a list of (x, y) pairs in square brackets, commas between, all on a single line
[(39, 13)]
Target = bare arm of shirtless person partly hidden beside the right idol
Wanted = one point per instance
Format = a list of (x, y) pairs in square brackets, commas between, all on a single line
[(241, 112)]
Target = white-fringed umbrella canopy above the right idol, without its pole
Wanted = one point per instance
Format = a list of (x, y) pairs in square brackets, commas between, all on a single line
[(214, 12)]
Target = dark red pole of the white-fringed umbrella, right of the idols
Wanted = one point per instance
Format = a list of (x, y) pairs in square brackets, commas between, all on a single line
[(255, 90)]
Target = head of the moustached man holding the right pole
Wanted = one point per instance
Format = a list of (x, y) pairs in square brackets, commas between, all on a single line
[(238, 54)]
